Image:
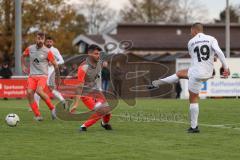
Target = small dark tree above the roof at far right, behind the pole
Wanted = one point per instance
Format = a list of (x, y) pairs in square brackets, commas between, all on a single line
[(234, 15)]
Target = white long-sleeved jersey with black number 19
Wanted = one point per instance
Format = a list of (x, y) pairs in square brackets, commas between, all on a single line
[(202, 49)]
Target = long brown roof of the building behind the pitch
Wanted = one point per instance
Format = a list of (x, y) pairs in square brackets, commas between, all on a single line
[(155, 37)]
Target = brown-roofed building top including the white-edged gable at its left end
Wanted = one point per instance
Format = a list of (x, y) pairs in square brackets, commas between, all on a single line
[(155, 38)]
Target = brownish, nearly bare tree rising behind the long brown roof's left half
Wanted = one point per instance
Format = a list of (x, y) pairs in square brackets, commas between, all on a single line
[(149, 11)]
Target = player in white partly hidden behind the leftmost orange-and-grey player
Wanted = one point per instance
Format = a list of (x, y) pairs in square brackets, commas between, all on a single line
[(51, 72)]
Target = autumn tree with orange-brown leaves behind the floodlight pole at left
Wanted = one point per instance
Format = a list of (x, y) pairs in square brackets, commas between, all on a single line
[(54, 17)]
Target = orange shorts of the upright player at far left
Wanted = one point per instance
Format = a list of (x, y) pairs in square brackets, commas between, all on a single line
[(36, 81)]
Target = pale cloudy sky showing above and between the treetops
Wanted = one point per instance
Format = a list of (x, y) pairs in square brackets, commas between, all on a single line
[(214, 7)]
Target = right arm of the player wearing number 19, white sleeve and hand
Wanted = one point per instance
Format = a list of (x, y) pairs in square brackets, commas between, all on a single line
[(221, 57)]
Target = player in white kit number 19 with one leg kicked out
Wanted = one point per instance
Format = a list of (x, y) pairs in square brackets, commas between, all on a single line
[(202, 49)]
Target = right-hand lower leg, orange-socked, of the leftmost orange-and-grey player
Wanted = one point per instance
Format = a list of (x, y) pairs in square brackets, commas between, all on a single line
[(47, 100)]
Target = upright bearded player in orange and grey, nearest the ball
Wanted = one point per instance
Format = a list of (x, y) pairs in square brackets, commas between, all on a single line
[(39, 56)]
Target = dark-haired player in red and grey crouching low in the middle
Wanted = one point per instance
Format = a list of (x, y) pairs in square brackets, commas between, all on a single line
[(89, 78)]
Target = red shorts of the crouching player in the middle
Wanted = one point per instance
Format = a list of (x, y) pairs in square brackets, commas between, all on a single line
[(91, 102)]
